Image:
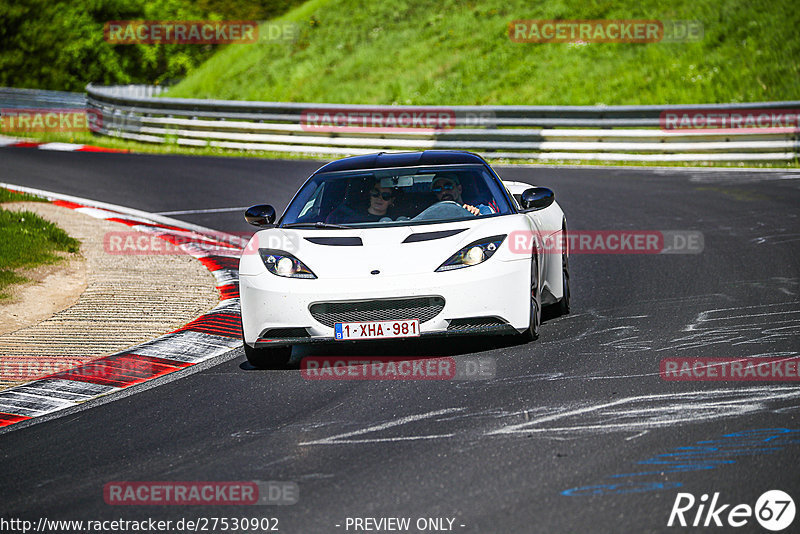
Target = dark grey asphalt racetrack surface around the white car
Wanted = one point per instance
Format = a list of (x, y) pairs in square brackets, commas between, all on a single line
[(577, 432)]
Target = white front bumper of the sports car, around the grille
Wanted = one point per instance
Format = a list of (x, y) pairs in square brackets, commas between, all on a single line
[(495, 291)]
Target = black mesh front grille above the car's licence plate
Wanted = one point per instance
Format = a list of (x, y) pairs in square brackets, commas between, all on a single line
[(422, 308)]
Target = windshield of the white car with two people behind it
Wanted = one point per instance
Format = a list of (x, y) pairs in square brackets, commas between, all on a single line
[(399, 196)]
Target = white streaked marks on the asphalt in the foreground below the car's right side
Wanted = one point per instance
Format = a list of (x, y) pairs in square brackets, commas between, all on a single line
[(633, 415)]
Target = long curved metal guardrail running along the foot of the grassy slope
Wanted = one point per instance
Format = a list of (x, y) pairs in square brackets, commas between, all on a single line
[(612, 133)]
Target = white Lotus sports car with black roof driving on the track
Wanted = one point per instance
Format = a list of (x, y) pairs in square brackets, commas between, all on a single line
[(397, 245)]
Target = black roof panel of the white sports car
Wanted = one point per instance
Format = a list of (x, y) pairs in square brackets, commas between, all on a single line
[(383, 160)]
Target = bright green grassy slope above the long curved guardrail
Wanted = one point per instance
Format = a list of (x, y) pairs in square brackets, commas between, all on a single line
[(455, 52)]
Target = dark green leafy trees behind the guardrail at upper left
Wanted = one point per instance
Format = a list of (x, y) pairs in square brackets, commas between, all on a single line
[(59, 44)]
